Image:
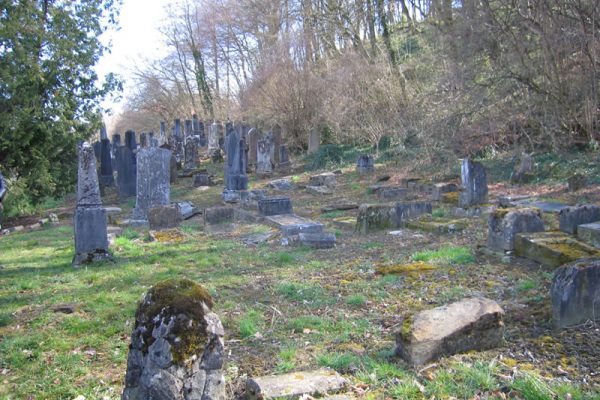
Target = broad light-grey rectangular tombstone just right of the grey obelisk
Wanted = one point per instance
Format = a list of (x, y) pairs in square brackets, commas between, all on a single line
[(153, 176)]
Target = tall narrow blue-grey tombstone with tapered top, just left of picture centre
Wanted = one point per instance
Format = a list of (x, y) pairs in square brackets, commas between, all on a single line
[(235, 167)]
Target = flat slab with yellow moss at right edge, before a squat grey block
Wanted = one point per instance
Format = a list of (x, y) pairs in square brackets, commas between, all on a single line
[(552, 248)]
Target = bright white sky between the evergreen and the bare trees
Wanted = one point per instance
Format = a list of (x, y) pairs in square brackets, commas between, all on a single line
[(137, 39)]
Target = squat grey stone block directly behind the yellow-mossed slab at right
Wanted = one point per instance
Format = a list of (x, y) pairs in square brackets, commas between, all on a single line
[(504, 224)]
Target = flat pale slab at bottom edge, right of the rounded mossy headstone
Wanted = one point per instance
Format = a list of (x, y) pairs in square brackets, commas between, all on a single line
[(294, 385)]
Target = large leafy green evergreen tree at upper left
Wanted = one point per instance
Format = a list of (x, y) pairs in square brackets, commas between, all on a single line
[(49, 93)]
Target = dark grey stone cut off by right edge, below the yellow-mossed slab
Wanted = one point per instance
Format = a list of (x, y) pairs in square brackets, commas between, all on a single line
[(575, 293)]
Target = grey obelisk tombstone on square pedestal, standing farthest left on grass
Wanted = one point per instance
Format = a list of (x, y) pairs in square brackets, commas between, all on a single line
[(89, 221)]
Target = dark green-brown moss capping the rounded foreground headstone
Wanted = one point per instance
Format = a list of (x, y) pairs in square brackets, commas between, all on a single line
[(176, 298)]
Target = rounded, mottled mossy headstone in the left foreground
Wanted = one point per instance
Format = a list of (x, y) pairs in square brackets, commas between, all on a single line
[(177, 348)]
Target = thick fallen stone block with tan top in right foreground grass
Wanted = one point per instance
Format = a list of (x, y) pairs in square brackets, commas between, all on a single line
[(469, 324)]
